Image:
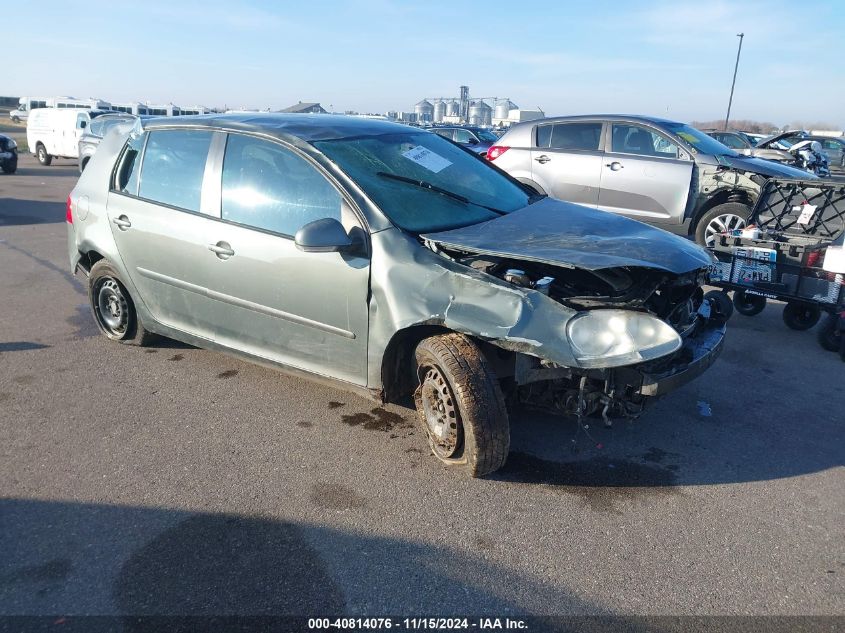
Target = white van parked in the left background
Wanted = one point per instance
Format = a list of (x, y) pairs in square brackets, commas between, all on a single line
[(55, 132)]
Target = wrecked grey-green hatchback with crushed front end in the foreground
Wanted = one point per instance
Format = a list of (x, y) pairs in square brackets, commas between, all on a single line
[(391, 261)]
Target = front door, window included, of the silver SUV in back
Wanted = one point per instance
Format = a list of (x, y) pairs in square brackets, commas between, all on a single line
[(645, 175)]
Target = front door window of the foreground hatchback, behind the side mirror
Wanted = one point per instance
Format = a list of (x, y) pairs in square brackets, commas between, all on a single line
[(269, 187)]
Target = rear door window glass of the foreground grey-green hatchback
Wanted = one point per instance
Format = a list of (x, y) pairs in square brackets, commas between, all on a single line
[(174, 164)]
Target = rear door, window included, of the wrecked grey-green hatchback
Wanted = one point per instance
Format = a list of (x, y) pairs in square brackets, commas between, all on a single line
[(159, 216)]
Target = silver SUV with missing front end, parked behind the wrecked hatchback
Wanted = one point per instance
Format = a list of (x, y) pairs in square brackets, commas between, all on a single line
[(657, 171)]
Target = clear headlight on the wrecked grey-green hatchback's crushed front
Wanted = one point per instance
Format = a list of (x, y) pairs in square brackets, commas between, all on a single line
[(610, 338)]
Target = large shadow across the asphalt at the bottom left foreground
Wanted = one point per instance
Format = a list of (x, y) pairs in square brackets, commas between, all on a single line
[(66, 558)]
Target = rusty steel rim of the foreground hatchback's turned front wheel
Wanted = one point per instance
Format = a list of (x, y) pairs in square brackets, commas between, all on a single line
[(443, 423)]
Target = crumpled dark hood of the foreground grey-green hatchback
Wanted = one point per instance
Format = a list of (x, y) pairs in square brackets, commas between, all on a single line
[(565, 234)]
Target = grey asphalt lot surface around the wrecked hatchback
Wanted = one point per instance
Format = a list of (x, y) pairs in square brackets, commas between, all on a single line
[(173, 480)]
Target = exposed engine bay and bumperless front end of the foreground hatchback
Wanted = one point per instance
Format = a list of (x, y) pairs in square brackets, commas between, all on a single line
[(677, 299)]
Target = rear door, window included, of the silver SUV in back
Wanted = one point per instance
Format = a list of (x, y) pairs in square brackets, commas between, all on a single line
[(566, 160)]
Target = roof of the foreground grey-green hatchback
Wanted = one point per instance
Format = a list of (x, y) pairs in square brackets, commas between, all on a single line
[(306, 127)]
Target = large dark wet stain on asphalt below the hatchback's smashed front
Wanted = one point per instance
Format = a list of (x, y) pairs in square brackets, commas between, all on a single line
[(602, 482)]
